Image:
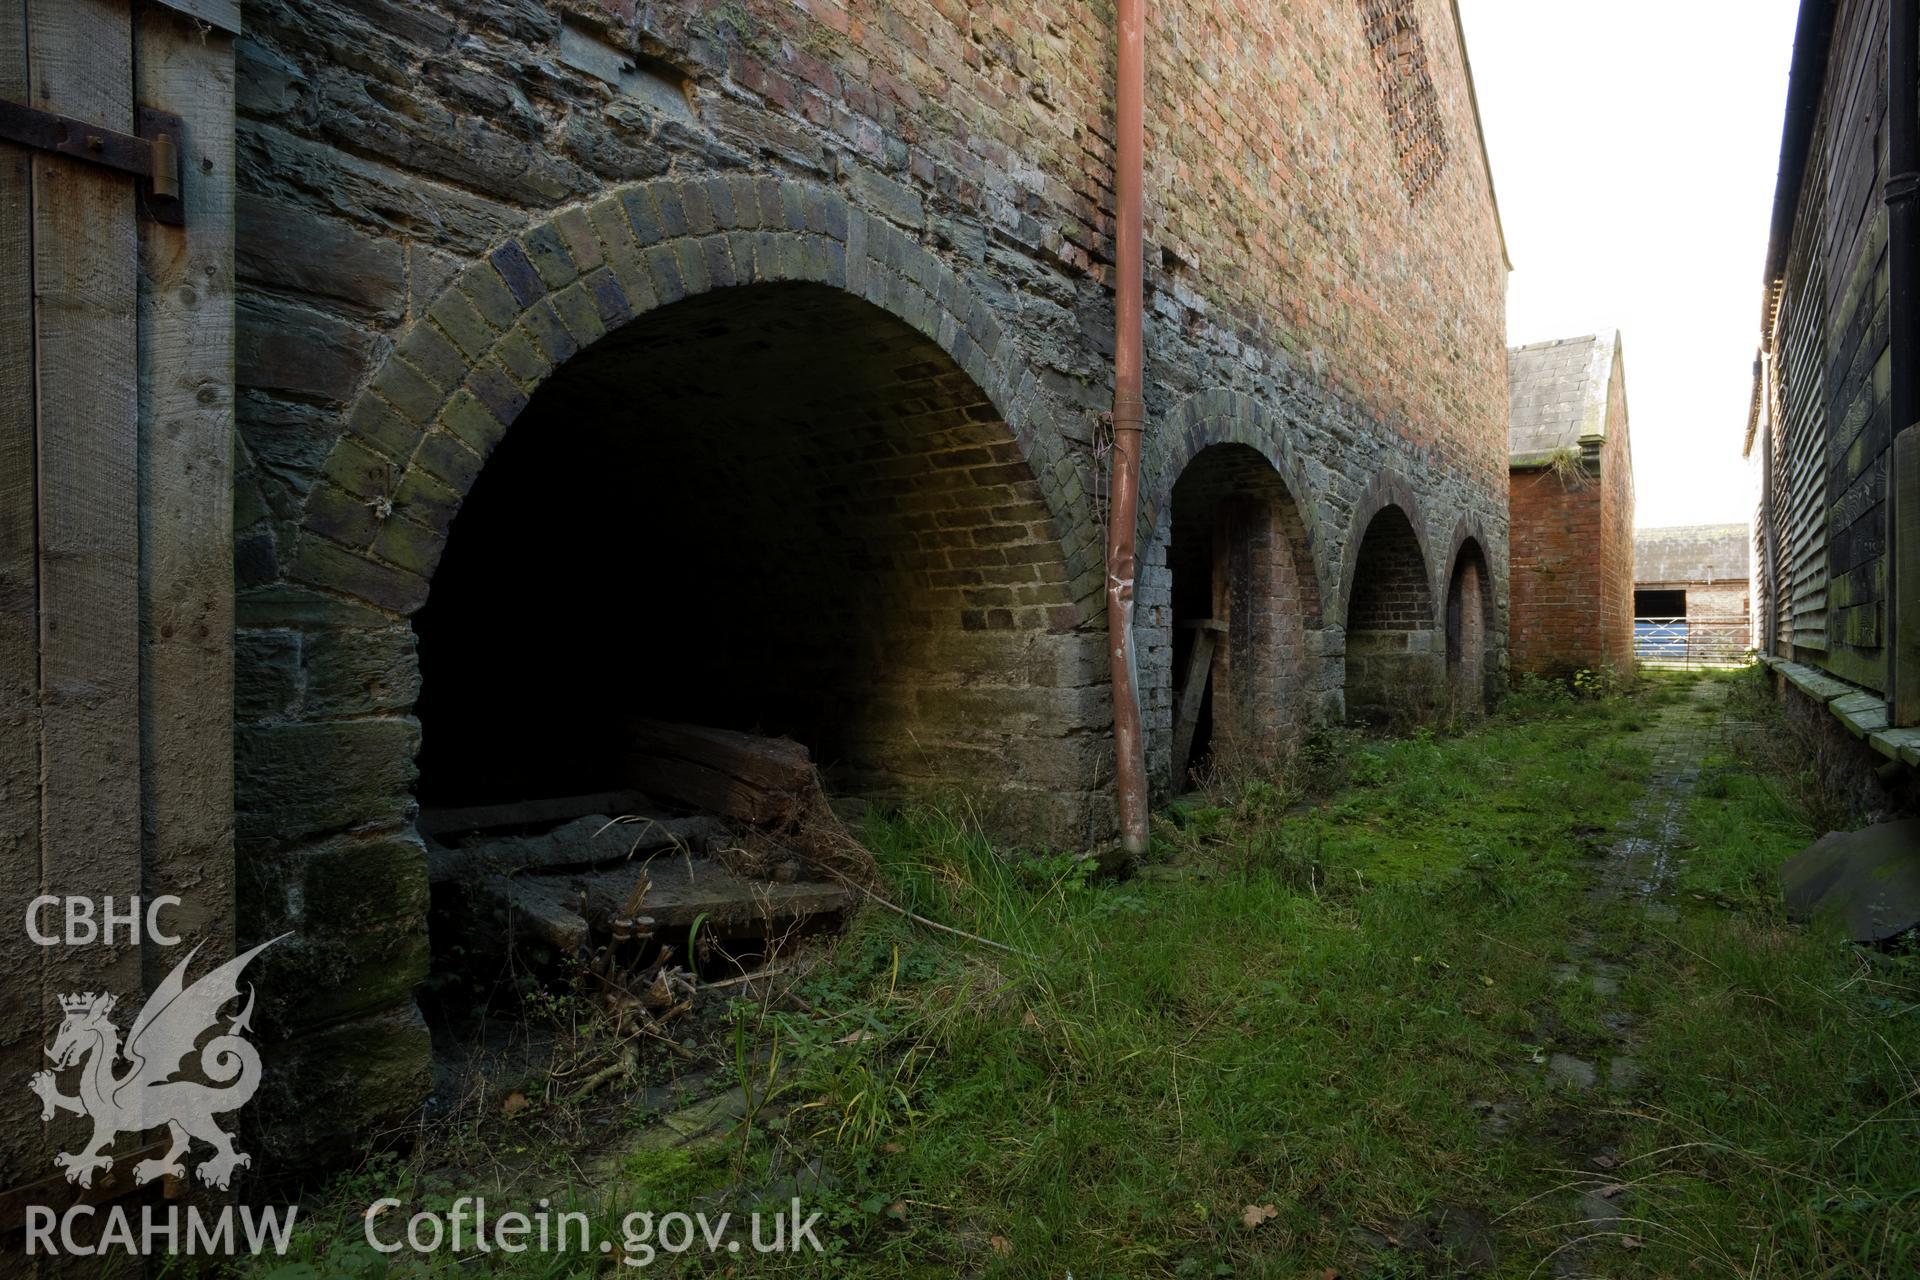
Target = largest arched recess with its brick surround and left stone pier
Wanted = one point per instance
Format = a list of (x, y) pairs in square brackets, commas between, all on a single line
[(761, 446)]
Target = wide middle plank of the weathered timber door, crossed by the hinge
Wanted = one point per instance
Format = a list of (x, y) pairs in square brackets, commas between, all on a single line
[(80, 62)]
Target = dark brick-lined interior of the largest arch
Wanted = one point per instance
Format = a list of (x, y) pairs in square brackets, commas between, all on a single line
[(769, 510)]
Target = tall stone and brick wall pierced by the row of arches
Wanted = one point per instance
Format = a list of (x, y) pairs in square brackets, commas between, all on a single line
[(446, 204)]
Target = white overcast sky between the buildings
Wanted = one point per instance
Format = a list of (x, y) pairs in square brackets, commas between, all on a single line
[(1635, 149)]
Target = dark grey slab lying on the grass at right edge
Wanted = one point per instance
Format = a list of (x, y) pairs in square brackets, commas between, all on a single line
[(1869, 880)]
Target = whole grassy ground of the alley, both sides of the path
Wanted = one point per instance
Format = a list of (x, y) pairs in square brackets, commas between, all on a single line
[(1330, 995)]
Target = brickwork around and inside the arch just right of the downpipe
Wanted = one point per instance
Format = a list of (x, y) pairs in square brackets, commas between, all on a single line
[(1247, 454)]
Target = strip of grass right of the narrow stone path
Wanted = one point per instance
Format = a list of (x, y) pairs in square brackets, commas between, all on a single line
[(1783, 1137)]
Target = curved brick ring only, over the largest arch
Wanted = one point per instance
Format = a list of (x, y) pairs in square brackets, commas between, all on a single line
[(423, 427)]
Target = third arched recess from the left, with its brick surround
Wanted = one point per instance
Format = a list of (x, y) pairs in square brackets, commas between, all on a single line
[(1395, 657)]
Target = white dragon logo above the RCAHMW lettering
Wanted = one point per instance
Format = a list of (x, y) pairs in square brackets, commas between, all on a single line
[(147, 1095)]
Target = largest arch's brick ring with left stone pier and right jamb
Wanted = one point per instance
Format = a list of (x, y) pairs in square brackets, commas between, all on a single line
[(327, 776)]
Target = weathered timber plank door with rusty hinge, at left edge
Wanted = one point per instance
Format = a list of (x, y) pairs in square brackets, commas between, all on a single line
[(116, 496)]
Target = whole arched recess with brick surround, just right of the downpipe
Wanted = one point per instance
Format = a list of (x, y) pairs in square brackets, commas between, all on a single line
[(1228, 542)]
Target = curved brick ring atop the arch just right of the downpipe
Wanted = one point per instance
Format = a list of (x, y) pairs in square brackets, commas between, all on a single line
[(1226, 417)]
